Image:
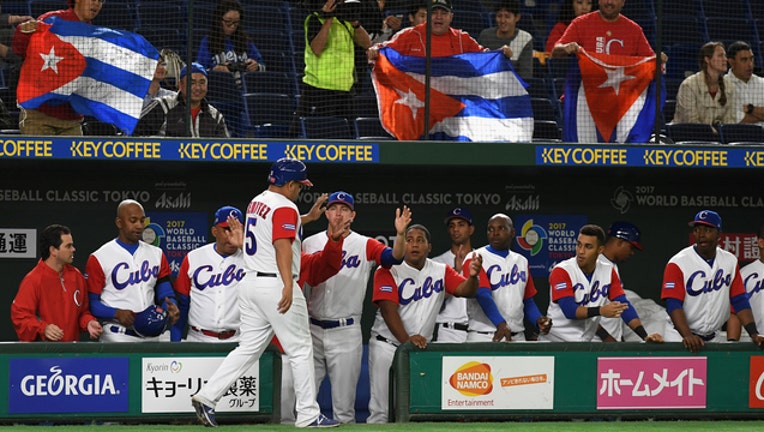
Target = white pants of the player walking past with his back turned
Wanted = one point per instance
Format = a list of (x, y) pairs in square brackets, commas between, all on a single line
[(258, 303)]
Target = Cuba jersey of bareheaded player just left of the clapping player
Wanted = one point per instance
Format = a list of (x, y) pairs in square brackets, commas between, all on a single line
[(509, 279)]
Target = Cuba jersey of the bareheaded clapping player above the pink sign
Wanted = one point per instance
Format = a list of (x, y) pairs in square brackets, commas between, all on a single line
[(568, 280)]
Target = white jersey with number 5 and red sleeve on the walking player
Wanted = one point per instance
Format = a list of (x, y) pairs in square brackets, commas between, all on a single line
[(270, 217)]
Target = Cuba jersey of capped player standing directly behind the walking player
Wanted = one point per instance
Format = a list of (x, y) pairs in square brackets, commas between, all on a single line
[(342, 295)]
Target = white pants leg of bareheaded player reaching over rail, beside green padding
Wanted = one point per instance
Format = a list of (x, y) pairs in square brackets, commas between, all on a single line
[(380, 360)]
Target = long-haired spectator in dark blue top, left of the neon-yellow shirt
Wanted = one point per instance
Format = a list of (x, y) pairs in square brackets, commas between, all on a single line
[(227, 48)]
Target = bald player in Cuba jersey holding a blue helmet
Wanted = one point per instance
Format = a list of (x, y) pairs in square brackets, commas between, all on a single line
[(126, 276)]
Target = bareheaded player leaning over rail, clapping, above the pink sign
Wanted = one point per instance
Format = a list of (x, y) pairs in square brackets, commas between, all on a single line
[(580, 289)]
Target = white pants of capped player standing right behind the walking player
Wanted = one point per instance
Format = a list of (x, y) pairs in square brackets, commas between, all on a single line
[(338, 351)]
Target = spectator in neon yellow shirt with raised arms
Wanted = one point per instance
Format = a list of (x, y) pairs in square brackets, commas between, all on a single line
[(330, 34)]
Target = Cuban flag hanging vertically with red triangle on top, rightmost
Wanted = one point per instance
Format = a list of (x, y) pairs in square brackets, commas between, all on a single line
[(610, 98)]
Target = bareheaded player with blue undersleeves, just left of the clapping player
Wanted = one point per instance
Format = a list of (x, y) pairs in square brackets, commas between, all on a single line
[(506, 290)]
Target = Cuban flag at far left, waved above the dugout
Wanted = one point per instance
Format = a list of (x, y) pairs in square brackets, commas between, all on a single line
[(101, 72)]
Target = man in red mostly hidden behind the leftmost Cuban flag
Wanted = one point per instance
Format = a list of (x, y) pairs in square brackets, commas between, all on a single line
[(48, 119)]
